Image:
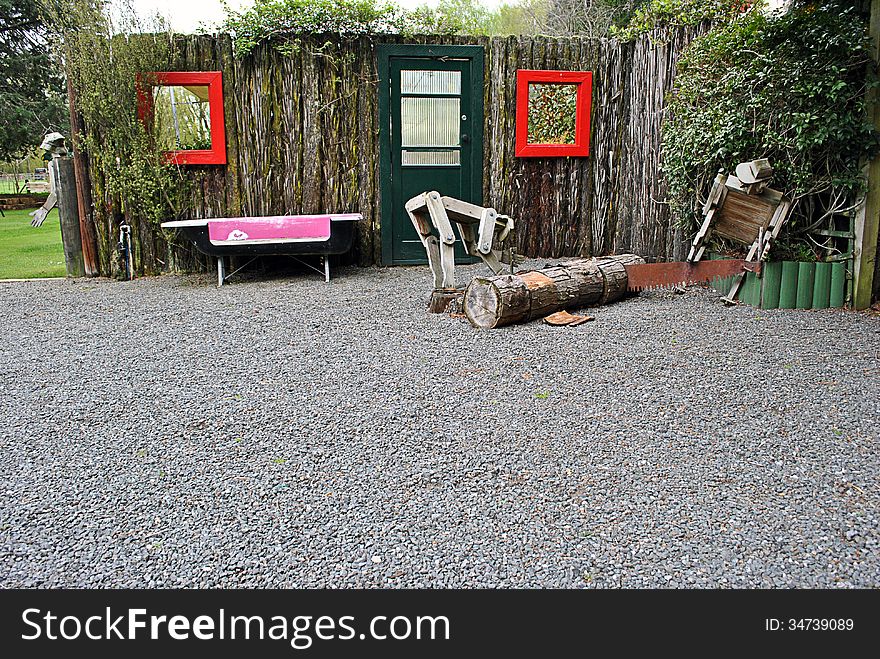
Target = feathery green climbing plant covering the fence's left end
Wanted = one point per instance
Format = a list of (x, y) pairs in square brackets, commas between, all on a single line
[(102, 58)]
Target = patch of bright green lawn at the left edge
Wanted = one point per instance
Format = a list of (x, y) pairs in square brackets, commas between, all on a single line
[(26, 251)]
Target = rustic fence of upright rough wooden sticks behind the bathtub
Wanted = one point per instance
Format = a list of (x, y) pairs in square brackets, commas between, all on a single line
[(302, 137)]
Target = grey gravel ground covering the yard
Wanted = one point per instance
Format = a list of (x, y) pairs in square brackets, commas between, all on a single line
[(287, 433)]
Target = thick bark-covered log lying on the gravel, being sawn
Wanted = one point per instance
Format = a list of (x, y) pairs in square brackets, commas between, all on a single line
[(507, 299)]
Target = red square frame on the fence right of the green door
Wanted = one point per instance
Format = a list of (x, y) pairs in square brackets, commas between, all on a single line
[(583, 103)]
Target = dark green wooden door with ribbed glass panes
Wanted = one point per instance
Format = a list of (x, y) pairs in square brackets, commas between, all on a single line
[(433, 141)]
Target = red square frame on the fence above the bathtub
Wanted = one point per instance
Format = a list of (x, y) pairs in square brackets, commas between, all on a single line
[(216, 155)]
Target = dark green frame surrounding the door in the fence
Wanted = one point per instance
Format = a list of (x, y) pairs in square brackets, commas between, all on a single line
[(384, 53)]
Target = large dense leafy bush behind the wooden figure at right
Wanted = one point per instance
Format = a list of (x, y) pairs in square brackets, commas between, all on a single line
[(789, 87)]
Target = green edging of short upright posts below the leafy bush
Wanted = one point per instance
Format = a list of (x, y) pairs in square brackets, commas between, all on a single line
[(790, 285)]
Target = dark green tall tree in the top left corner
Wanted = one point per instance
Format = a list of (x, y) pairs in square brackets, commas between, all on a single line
[(31, 87)]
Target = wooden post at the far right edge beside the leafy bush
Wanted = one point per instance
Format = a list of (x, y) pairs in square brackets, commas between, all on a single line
[(867, 222)]
